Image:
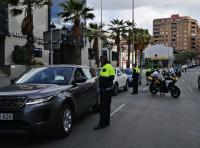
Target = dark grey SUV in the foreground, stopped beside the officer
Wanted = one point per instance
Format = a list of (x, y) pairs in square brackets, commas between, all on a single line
[(48, 99)]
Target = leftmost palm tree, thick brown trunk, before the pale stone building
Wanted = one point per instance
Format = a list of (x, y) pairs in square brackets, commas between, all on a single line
[(27, 27)]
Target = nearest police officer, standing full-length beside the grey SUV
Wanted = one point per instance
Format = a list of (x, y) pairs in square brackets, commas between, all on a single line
[(106, 78)]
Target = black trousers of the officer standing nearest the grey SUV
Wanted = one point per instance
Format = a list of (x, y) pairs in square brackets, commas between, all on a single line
[(105, 102)]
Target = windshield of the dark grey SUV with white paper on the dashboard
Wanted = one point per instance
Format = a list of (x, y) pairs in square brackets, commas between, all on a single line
[(46, 75)]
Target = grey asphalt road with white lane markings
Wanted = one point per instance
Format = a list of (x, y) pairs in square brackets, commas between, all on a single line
[(137, 121)]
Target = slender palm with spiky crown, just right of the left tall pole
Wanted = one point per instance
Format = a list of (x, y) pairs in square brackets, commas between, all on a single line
[(116, 28)]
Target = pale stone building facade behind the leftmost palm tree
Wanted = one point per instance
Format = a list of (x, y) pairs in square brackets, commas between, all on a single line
[(11, 36)]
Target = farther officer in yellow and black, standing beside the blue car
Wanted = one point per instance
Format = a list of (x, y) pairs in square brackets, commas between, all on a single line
[(135, 77)]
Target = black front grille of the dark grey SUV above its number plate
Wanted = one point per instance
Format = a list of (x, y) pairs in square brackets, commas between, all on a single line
[(12, 101)]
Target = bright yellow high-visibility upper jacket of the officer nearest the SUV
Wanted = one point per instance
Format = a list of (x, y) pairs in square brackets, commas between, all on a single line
[(107, 70)]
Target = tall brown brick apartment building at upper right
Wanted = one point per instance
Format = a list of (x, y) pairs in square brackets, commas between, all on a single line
[(182, 33)]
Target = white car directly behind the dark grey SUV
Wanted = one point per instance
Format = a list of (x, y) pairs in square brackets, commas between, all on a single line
[(120, 80)]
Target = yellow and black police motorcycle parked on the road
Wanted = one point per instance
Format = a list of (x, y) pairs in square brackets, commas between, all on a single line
[(166, 85)]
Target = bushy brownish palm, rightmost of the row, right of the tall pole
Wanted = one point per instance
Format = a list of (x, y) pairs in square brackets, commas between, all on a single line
[(141, 40)]
